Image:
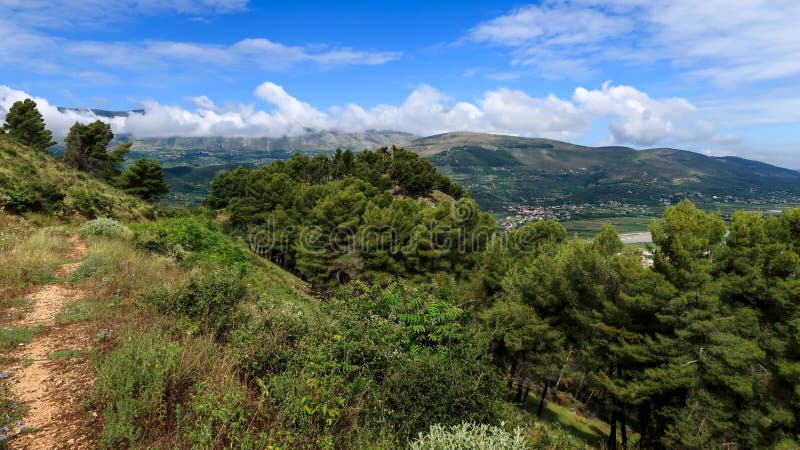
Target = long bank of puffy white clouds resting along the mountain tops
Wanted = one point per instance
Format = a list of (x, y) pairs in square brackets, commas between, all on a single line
[(635, 117)]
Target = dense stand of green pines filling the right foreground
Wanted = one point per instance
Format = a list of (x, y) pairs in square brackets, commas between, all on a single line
[(693, 353)]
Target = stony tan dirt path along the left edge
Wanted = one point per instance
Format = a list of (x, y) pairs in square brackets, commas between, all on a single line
[(53, 390)]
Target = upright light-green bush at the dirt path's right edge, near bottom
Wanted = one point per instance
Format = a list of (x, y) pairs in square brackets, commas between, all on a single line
[(134, 384)]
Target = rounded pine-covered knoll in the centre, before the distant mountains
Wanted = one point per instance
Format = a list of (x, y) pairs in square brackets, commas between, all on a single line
[(374, 215)]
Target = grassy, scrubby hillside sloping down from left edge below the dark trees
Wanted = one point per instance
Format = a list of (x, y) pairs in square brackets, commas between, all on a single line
[(32, 181)]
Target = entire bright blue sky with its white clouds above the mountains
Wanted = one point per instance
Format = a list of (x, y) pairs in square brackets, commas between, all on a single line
[(718, 76)]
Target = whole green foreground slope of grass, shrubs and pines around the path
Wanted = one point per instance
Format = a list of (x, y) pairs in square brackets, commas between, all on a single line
[(421, 323)]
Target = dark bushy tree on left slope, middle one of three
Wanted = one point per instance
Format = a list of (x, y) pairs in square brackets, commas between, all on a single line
[(86, 150)]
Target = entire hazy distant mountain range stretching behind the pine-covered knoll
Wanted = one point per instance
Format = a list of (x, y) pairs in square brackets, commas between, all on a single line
[(499, 171)]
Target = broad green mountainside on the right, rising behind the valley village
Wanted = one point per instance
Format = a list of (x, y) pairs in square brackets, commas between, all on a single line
[(501, 170)]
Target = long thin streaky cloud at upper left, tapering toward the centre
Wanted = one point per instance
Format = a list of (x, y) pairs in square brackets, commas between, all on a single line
[(48, 54)]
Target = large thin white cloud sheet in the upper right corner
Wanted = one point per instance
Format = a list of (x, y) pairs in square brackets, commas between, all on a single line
[(729, 42)]
